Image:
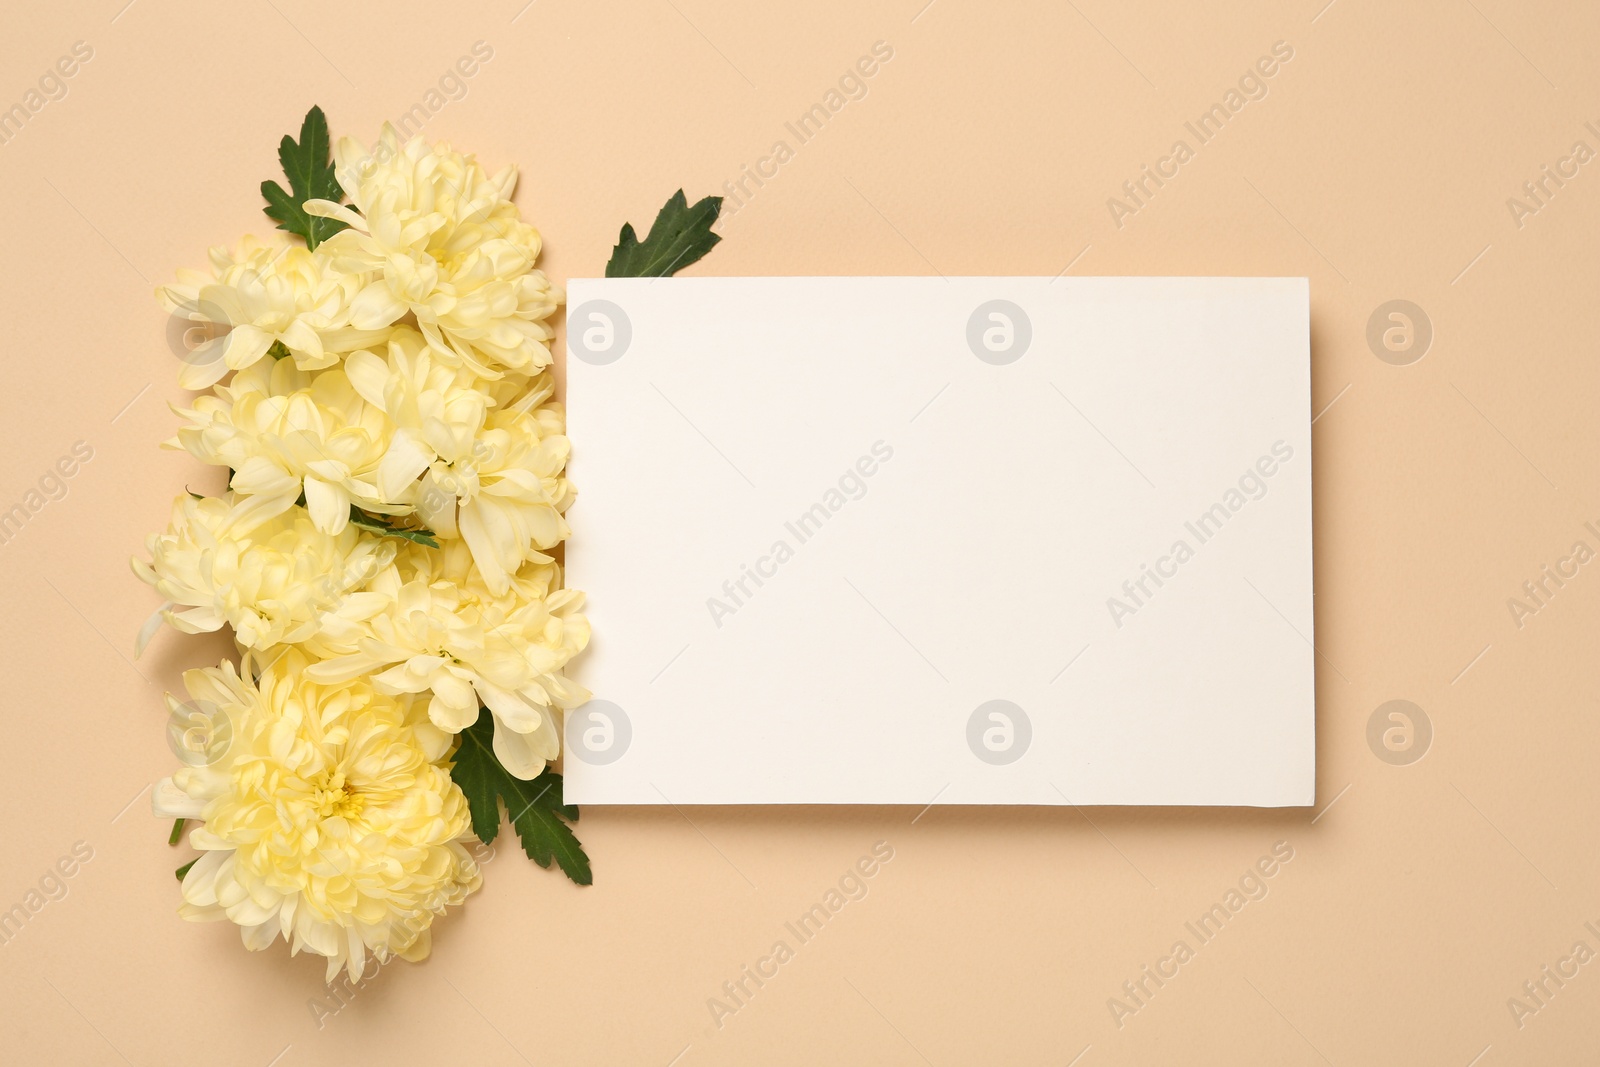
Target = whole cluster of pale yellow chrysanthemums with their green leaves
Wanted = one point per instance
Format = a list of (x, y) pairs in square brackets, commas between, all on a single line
[(378, 386)]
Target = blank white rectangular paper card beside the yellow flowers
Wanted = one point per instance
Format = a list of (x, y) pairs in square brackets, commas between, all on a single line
[(962, 541)]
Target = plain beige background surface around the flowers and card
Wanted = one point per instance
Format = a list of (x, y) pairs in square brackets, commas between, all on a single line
[(1420, 898)]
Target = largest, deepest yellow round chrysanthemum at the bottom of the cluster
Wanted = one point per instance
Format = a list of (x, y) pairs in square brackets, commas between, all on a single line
[(330, 818)]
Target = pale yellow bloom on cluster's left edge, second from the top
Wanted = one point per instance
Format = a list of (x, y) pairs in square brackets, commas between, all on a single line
[(286, 431)]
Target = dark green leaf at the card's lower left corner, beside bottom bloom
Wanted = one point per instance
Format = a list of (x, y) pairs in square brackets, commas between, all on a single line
[(535, 809)]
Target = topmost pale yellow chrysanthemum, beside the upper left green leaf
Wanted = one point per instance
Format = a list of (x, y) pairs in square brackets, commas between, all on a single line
[(442, 242)]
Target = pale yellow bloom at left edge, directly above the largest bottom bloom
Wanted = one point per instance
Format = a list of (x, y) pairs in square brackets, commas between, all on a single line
[(274, 581)]
